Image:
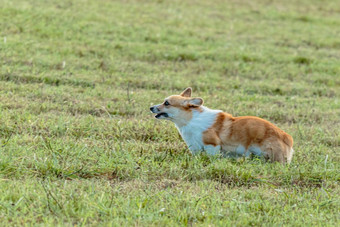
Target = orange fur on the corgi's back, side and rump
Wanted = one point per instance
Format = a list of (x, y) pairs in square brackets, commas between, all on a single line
[(228, 131)]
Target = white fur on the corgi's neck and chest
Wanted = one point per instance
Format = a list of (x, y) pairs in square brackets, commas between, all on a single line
[(193, 131)]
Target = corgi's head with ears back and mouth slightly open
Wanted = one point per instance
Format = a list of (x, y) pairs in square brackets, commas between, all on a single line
[(177, 108)]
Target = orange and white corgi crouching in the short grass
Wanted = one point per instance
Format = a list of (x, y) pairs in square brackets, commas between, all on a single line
[(214, 131)]
